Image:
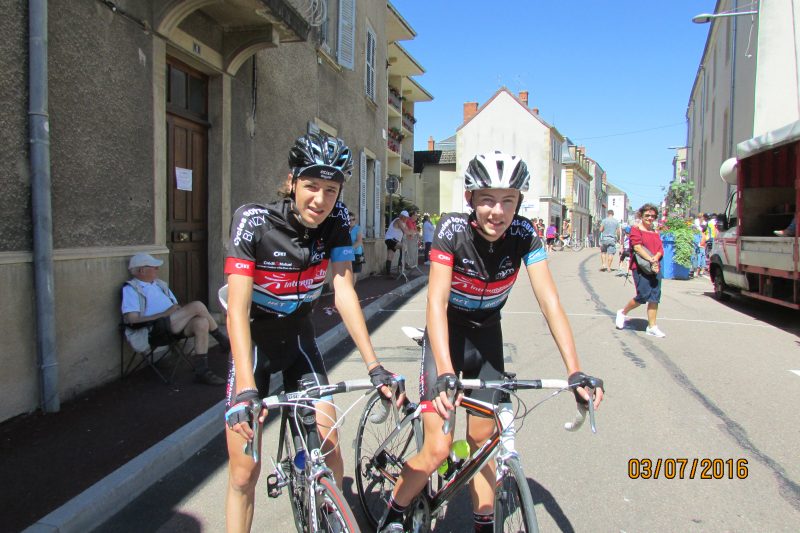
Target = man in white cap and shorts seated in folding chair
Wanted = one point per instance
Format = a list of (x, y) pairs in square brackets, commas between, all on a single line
[(145, 298)]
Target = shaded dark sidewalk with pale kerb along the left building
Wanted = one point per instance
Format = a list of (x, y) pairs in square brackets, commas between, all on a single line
[(118, 439)]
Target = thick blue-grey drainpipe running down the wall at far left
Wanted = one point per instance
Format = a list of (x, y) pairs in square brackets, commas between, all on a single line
[(42, 210)]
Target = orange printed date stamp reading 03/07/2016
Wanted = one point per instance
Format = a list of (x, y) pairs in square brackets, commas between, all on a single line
[(686, 468)]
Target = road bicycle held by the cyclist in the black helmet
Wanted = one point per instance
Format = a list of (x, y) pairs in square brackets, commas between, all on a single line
[(317, 503)]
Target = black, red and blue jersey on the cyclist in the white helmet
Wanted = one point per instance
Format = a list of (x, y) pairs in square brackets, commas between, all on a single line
[(483, 272)]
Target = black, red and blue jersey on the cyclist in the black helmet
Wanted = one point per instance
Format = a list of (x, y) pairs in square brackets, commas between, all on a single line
[(287, 261)]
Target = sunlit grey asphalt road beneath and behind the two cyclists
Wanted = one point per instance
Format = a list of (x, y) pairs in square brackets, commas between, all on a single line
[(719, 387)]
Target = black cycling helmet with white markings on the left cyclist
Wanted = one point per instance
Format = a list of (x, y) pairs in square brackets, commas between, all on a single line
[(316, 155)]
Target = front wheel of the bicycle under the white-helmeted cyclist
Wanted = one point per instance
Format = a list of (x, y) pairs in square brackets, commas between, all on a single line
[(513, 504)]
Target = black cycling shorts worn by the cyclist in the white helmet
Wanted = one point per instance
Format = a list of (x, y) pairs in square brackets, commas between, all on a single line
[(474, 352)]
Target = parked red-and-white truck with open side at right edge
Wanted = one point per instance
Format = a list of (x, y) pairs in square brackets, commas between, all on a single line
[(747, 257)]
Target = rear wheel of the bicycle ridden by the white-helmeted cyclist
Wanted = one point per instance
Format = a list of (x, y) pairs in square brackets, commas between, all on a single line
[(372, 486)]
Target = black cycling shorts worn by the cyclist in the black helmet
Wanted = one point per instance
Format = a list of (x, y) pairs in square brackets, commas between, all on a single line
[(285, 345)]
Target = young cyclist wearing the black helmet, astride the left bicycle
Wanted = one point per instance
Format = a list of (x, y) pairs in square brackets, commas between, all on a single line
[(278, 256)]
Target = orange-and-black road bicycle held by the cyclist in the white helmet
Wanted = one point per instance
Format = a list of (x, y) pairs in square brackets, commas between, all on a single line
[(384, 443)]
